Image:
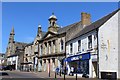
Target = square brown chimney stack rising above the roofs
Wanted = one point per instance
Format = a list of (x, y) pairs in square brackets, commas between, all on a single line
[(85, 19)]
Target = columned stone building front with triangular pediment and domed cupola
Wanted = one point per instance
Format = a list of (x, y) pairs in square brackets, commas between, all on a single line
[(52, 46)]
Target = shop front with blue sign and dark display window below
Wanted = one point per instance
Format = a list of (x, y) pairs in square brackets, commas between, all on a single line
[(78, 64)]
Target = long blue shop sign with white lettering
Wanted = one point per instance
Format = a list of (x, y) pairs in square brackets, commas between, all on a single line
[(78, 57)]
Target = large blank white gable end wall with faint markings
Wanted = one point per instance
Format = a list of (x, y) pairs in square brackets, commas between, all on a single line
[(108, 45)]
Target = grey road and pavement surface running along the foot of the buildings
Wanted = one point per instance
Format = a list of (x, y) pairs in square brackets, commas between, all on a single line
[(17, 75)]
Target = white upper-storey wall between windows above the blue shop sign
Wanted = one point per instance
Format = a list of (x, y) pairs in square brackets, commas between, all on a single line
[(84, 43)]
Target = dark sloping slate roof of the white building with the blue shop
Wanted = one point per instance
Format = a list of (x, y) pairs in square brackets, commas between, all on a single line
[(94, 25)]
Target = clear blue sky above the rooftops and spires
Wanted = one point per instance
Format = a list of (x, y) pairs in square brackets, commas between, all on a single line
[(26, 16)]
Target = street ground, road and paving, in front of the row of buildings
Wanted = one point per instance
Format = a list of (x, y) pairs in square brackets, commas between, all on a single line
[(42, 76)]
